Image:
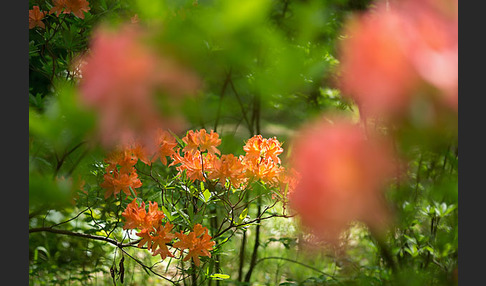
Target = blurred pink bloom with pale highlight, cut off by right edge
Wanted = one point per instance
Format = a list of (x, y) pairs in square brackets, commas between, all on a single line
[(431, 30)]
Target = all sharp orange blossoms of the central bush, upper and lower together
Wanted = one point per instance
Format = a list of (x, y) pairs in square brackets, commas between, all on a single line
[(201, 161)]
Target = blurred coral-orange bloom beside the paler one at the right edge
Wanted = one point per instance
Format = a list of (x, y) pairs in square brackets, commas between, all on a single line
[(375, 71)]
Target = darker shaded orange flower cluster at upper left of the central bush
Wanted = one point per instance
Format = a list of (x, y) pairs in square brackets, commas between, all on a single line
[(121, 174)]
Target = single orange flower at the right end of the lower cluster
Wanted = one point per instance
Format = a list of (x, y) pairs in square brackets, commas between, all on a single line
[(198, 242)]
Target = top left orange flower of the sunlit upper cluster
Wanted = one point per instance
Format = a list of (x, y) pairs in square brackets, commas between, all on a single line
[(202, 141)]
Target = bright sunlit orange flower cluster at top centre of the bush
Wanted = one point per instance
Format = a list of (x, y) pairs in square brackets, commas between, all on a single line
[(200, 161)]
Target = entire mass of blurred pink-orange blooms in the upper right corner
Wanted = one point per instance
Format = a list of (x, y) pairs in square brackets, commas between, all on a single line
[(393, 52)]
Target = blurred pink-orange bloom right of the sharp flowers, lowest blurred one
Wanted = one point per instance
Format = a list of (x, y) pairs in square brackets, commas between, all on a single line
[(342, 178)]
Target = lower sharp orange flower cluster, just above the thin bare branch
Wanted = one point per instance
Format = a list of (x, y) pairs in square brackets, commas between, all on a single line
[(156, 235)]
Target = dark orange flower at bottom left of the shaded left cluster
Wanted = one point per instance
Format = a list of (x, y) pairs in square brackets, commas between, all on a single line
[(116, 181)]
